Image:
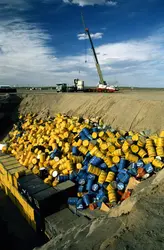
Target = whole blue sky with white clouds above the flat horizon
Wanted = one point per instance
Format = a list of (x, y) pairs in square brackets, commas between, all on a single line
[(42, 42)]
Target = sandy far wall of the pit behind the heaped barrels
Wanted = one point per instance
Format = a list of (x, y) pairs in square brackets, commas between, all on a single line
[(130, 110)]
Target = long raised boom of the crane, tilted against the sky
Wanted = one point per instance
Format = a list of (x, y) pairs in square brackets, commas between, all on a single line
[(94, 53)]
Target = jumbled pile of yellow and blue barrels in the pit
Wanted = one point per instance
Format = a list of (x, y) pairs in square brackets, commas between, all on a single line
[(100, 160)]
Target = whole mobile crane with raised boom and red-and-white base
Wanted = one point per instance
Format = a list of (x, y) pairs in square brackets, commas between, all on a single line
[(102, 86)]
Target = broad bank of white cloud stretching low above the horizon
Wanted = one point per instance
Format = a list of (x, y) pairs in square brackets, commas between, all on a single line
[(26, 59)]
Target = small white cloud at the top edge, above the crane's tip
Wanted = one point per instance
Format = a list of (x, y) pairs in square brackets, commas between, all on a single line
[(91, 2)]
